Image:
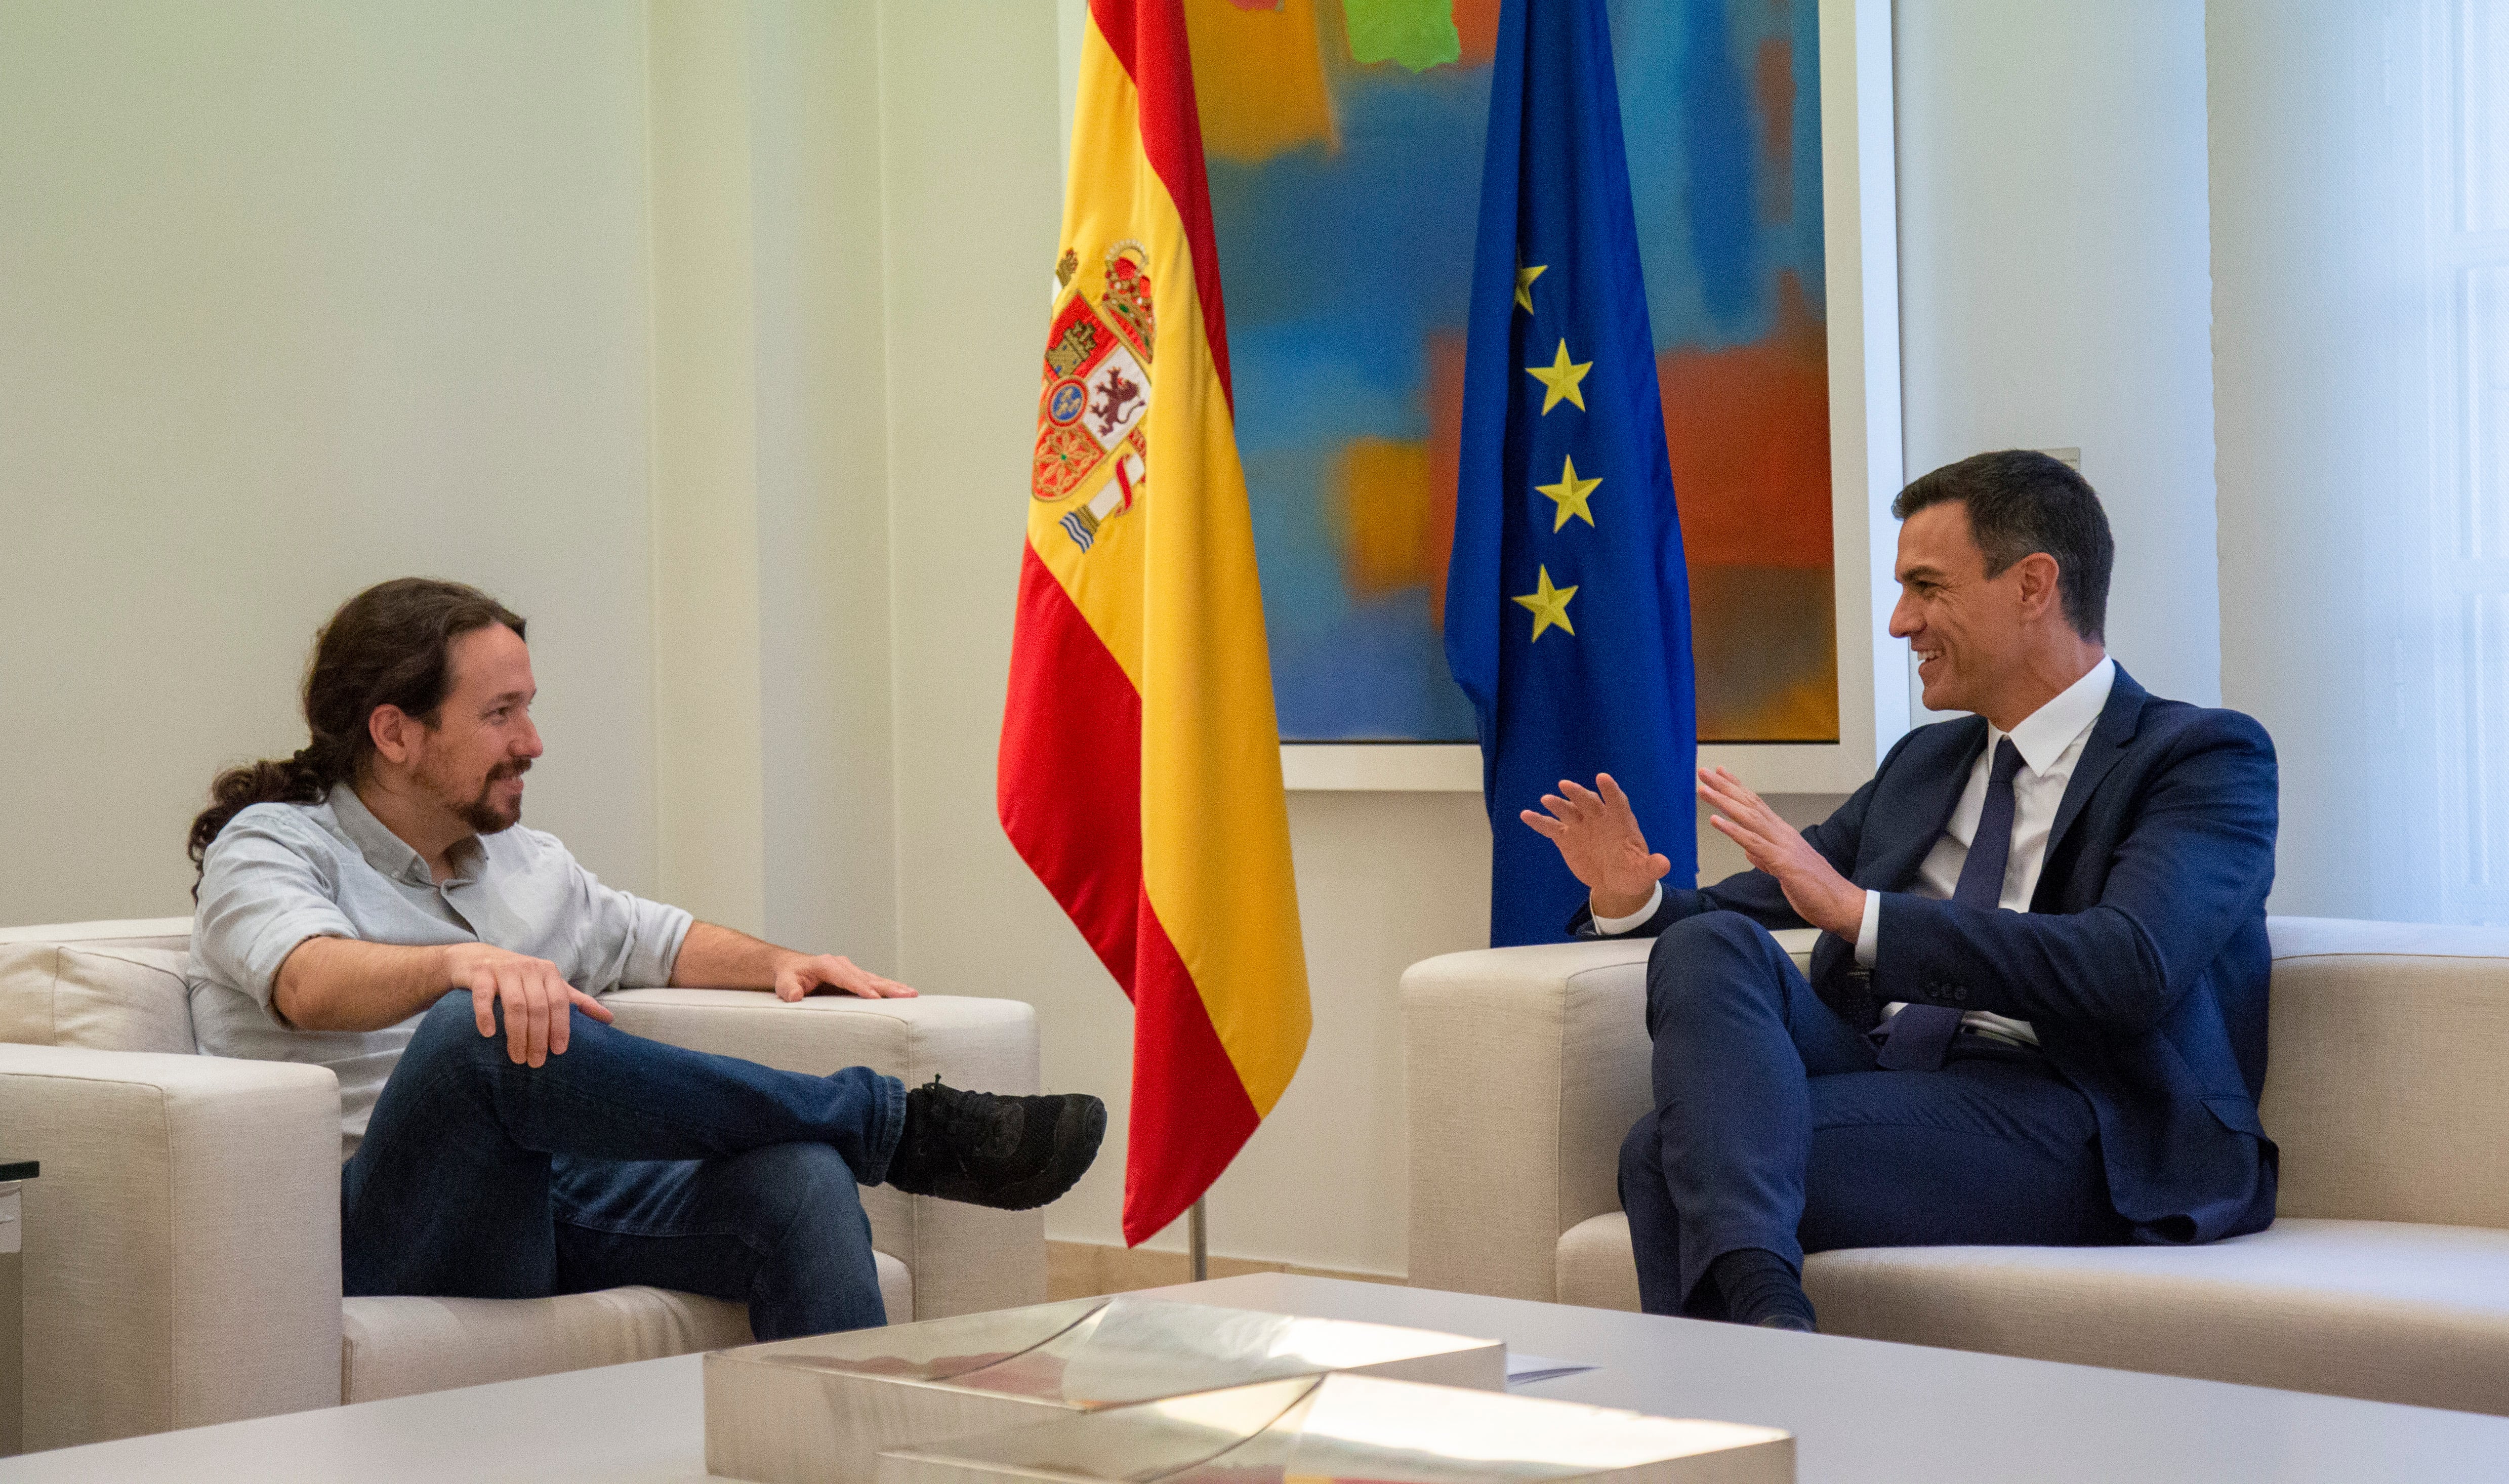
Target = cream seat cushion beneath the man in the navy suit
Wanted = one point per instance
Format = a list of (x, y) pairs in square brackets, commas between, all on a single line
[(2375, 1309)]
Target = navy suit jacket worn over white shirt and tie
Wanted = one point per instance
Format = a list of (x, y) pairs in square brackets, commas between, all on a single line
[(2141, 963)]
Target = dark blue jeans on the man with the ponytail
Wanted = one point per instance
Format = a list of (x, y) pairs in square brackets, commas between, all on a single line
[(621, 1161)]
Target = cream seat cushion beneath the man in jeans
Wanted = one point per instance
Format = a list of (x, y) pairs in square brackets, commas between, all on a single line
[(400, 1347)]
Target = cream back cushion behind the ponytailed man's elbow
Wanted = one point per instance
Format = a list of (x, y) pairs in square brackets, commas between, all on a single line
[(109, 996)]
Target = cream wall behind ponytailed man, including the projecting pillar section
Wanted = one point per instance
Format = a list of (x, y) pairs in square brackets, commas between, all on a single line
[(581, 305)]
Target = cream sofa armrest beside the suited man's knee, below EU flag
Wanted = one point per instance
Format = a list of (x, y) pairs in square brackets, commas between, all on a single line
[(1524, 1073)]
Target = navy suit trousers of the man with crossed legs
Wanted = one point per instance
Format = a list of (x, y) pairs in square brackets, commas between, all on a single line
[(1773, 1129)]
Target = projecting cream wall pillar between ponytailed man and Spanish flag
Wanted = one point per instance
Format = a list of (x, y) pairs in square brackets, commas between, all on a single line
[(772, 473)]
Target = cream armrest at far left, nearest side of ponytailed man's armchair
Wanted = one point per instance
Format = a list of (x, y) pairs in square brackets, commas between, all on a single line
[(182, 1247)]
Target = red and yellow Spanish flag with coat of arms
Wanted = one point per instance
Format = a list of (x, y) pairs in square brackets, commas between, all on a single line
[(1140, 760)]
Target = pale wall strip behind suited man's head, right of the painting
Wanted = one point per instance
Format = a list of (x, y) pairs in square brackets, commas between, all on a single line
[(2056, 282)]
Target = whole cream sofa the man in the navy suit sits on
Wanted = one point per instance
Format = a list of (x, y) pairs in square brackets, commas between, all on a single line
[(2385, 1277)]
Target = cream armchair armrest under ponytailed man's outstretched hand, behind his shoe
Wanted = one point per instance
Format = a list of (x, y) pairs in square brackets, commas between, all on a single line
[(962, 1259)]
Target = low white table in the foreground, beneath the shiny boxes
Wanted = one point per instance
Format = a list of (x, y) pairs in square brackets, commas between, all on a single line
[(1863, 1412)]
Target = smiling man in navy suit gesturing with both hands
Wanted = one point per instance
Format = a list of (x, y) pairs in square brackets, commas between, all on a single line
[(2039, 1003)]
